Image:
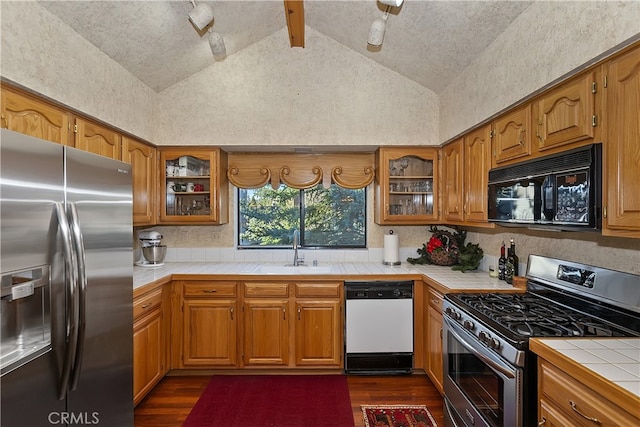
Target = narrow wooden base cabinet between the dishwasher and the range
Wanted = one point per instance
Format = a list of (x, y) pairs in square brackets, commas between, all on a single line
[(434, 338)]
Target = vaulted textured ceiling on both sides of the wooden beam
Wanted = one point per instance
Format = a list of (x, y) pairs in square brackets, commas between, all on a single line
[(429, 42)]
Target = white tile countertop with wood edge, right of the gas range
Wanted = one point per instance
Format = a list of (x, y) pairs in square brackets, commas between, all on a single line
[(615, 360)]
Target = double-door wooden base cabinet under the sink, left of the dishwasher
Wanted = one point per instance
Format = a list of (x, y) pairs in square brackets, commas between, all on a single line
[(292, 325)]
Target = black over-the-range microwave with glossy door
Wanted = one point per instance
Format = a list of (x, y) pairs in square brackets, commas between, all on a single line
[(560, 191)]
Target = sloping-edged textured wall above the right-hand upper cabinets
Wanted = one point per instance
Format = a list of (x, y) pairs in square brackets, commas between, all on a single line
[(549, 39)]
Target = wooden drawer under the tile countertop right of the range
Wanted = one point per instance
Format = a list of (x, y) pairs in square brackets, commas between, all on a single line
[(577, 401)]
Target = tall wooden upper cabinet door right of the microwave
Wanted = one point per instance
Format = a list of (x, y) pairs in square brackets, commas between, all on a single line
[(621, 174)]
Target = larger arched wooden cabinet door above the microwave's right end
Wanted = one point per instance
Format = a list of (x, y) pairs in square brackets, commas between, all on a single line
[(566, 114)]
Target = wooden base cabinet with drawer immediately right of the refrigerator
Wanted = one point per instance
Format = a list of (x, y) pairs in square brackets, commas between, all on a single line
[(150, 341)]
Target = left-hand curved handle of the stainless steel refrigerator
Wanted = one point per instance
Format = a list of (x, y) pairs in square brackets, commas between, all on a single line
[(71, 316)]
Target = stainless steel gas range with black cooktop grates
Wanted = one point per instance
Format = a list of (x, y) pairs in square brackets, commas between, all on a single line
[(489, 373)]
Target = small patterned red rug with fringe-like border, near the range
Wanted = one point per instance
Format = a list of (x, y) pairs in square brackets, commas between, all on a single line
[(397, 416)]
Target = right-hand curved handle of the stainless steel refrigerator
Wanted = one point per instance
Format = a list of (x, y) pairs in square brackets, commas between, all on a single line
[(82, 292)]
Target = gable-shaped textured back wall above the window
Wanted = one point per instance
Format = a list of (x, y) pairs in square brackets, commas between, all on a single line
[(324, 94)]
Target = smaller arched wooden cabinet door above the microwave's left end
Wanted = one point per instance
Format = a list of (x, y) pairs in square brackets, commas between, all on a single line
[(511, 136)]
